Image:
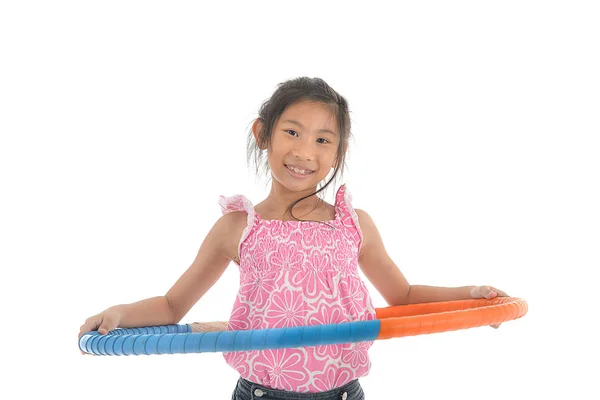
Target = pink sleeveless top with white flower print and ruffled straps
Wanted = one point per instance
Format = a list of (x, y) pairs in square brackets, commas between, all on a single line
[(297, 273)]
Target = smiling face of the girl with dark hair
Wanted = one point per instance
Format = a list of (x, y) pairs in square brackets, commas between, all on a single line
[(303, 146)]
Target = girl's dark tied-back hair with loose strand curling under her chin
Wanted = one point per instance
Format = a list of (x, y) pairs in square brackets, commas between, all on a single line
[(291, 92)]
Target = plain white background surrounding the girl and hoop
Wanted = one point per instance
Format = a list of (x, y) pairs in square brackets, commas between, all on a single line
[(475, 151)]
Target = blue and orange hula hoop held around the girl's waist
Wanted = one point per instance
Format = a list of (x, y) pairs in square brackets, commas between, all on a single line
[(393, 321)]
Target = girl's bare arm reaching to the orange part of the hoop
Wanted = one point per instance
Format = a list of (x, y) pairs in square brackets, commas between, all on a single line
[(383, 273)]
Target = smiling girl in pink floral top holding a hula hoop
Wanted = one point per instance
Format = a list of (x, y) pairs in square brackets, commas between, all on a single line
[(293, 271)]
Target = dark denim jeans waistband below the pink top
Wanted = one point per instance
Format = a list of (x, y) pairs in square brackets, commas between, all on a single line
[(246, 390)]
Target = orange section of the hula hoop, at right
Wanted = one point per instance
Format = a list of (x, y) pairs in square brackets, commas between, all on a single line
[(424, 318)]
